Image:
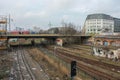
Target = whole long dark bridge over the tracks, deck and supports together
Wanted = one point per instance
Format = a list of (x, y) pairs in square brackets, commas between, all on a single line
[(48, 37)]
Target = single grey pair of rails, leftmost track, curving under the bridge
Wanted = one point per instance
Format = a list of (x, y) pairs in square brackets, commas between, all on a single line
[(24, 70)]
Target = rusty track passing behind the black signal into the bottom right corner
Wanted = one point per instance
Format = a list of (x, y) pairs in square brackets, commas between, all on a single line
[(92, 72)]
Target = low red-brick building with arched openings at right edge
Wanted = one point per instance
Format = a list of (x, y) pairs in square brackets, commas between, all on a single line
[(107, 40)]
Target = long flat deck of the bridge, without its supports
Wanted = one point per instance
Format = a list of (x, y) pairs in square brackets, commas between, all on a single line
[(42, 36)]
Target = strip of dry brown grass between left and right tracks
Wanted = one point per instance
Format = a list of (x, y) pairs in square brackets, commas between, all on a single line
[(49, 65)]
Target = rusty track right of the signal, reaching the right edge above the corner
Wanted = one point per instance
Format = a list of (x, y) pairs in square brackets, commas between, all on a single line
[(103, 65)]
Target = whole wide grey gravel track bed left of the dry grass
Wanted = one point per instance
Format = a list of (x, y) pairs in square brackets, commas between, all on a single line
[(25, 67)]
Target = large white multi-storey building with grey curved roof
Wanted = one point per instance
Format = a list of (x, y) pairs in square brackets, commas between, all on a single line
[(97, 23)]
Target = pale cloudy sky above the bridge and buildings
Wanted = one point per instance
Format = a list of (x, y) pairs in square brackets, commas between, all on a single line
[(29, 13)]
